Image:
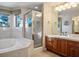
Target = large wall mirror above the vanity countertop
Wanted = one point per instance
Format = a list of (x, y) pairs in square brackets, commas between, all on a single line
[(69, 20)]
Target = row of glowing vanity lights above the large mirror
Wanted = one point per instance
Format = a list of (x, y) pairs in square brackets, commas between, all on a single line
[(65, 6)]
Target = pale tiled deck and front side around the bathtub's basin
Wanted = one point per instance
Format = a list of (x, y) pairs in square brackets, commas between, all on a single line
[(22, 48)]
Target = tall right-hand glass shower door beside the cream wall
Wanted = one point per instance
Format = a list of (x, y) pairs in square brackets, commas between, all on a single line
[(37, 24)]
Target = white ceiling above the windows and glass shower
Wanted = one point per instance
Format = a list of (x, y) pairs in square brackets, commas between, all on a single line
[(14, 5)]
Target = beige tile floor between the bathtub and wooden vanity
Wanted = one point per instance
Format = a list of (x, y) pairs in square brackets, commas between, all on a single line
[(40, 53)]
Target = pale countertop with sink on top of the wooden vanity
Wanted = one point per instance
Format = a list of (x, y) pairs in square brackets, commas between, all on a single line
[(68, 37)]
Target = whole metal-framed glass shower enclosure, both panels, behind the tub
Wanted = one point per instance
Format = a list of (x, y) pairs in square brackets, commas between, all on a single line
[(33, 27)]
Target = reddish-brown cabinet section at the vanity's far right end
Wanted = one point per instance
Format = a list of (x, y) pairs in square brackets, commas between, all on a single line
[(73, 49)]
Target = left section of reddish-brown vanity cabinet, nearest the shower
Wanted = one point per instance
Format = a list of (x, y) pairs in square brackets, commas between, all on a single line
[(56, 45)]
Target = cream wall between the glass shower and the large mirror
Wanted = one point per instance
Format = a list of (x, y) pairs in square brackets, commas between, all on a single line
[(50, 23)]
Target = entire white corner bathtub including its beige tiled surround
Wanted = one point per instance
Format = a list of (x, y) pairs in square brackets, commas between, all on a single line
[(16, 47)]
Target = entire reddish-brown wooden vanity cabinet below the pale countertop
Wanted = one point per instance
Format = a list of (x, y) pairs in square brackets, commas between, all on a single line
[(62, 47)]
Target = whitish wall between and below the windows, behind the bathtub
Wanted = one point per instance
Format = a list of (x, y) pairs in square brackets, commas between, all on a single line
[(10, 32)]
